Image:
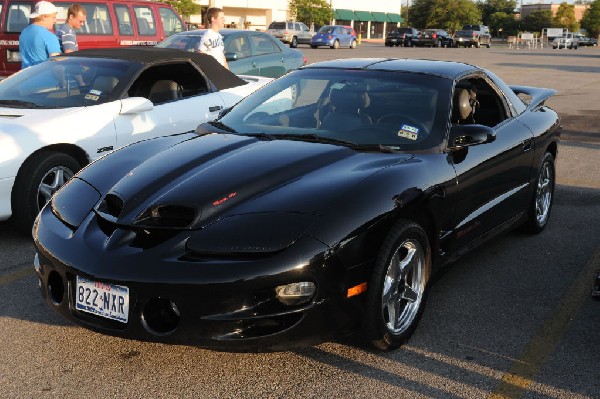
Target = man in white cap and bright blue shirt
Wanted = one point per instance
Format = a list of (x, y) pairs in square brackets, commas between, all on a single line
[(37, 42)]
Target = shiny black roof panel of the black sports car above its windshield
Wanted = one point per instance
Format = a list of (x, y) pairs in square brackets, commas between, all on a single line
[(448, 69)]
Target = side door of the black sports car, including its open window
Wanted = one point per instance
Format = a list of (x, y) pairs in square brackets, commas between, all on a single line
[(493, 177)]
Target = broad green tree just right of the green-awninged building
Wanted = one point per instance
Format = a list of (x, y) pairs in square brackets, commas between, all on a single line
[(450, 15)]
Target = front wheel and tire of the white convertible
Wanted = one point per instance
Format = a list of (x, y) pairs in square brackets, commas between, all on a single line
[(38, 179)]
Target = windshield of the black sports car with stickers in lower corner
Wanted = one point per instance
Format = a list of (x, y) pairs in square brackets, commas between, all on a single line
[(403, 111)]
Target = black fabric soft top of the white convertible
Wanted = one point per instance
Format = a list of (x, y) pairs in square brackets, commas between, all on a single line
[(221, 77)]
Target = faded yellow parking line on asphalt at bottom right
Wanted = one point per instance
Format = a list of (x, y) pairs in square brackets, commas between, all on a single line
[(524, 369)]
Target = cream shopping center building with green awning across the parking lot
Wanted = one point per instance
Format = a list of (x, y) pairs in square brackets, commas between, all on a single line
[(370, 20)]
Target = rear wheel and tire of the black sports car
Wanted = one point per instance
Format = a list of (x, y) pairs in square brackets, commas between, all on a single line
[(543, 197)]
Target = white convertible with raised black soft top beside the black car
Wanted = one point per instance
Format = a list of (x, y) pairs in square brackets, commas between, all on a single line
[(58, 116)]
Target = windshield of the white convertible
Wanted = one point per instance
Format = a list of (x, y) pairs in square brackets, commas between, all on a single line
[(67, 82)]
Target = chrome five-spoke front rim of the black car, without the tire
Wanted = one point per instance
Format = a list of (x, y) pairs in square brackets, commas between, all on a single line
[(403, 286)]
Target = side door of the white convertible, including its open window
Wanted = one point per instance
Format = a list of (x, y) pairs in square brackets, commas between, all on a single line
[(191, 103)]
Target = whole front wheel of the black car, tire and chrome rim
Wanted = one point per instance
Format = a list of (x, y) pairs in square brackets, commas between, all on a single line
[(397, 289)]
